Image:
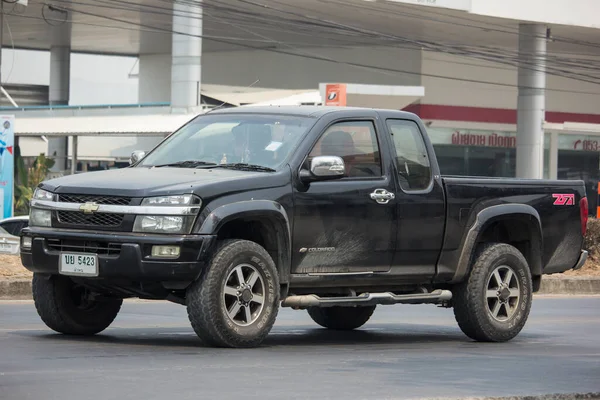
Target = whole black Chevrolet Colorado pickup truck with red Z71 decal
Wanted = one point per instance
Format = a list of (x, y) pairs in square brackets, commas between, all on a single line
[(333, 210)]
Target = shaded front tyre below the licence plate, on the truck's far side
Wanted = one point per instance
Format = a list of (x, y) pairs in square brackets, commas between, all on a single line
[(55, 300)]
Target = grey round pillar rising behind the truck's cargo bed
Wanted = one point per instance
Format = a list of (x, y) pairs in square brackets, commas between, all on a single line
[(531, 101)]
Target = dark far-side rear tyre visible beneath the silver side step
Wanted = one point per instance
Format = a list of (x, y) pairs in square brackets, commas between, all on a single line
[(341, 318)]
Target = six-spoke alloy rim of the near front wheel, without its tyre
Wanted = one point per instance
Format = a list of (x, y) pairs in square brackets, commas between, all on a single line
[(244, 295)]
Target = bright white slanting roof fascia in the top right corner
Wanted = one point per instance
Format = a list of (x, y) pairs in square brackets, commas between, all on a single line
[(585, 13)]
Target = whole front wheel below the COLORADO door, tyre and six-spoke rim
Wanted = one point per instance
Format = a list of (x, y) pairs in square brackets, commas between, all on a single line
[(235, 302)]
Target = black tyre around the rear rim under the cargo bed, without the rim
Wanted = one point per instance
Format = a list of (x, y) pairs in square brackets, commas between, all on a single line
[(470, 301)]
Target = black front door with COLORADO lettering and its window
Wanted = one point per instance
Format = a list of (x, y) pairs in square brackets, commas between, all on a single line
[(338, 226)]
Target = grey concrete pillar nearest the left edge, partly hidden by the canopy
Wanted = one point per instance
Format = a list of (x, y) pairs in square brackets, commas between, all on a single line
[(60, 66)]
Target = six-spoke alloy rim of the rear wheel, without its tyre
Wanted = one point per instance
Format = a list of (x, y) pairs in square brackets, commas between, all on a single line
[(503, 293)]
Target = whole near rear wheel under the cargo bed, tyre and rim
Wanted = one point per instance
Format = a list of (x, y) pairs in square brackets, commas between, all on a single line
[(493, 304)]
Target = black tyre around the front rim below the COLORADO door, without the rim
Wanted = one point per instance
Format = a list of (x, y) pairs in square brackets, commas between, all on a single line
[(207, 309)]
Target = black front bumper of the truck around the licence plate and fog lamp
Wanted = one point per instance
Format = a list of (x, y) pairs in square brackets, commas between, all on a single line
[(120, 255)]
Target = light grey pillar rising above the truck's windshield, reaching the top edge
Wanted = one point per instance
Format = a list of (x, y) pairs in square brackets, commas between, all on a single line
[(186, 54)]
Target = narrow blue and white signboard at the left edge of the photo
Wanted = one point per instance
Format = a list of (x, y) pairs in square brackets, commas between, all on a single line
[(7, 165)]
